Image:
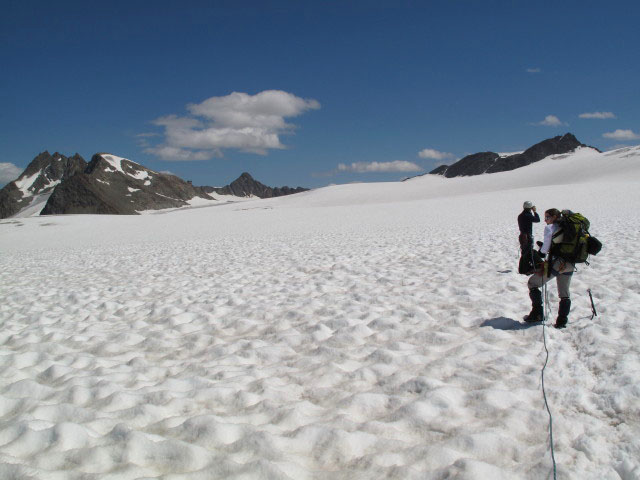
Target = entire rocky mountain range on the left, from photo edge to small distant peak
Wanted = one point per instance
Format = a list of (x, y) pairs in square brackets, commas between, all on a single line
[(108, 184)]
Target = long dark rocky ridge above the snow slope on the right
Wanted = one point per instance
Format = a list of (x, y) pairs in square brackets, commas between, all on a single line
[(490, 162)]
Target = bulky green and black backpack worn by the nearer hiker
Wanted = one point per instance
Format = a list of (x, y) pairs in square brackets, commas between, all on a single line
[(574, 243)]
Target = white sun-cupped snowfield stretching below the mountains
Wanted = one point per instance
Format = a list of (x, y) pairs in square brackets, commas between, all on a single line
[(352, 332)]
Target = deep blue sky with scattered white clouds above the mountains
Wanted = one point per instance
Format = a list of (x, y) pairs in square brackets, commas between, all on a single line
[(312, 93)]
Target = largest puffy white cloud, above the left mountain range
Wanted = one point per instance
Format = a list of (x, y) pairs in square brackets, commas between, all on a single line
[(250, 123)]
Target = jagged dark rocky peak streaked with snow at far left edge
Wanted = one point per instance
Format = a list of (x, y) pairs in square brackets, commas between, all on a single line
[(40, 177)]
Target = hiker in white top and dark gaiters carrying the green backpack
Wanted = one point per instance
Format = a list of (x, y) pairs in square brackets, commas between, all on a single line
[(559, 268)]
